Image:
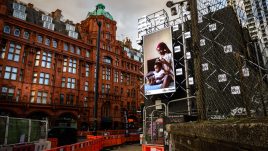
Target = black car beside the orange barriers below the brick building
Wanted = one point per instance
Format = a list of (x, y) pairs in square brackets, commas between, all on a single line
[(65, 135)]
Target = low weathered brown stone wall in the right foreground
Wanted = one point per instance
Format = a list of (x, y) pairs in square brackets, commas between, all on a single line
[(227, 135)]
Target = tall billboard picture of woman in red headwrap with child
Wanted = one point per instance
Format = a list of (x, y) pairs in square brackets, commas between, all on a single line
[(158, 63)]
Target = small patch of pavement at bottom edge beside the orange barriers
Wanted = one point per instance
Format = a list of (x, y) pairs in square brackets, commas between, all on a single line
[(126, 147)]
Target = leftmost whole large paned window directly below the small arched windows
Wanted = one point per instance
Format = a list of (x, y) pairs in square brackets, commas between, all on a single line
[(14, 52)]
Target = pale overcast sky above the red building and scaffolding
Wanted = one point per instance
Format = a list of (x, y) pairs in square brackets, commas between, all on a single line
[(124, 12)]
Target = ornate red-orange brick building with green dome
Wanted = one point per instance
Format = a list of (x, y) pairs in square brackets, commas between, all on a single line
[(47, 68)]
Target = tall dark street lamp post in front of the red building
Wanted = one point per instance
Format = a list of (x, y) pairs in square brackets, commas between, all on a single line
[(96, 94)]
